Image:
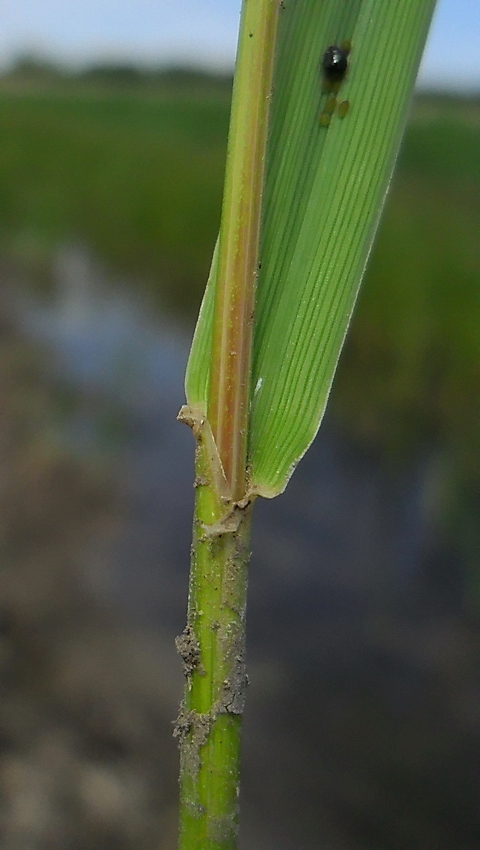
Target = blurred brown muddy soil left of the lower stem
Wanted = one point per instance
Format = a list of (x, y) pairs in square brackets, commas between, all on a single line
[(86, 754)]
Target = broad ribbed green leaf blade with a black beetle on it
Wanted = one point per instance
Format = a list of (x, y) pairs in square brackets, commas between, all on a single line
[(324, 194)]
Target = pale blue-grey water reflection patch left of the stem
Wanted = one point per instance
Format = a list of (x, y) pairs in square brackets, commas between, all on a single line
[(104, 335)]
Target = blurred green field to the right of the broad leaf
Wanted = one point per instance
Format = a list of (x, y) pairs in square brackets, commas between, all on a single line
[(415, 340)]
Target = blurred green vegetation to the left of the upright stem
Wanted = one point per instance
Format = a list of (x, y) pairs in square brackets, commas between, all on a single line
[(133, 171)]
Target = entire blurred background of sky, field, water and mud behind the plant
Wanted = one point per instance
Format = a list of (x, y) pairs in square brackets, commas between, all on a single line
[(362, 727)]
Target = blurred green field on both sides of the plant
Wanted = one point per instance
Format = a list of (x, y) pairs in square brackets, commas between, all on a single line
[(131, 164)]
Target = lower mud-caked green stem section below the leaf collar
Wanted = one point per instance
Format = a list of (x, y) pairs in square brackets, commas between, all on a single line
[(213, 651)]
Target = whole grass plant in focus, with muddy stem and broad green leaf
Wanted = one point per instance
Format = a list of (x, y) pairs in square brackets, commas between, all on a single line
[(263, 357)]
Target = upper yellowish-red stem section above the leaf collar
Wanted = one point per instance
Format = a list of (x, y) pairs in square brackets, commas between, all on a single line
[(229, 389)]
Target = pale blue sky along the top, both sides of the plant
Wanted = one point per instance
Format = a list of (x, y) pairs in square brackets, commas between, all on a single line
[(200, 31)]
